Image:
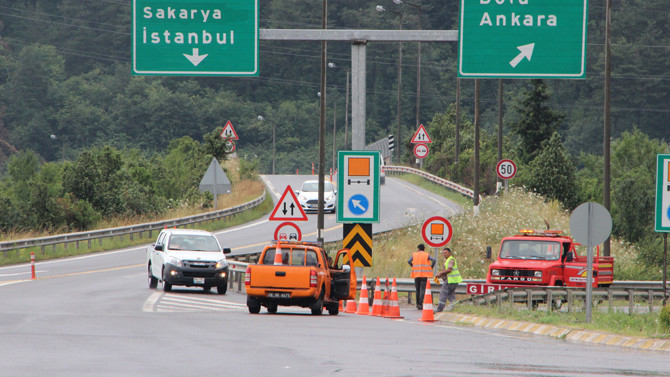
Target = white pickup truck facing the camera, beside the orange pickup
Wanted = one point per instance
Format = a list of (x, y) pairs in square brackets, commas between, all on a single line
[(187, 257)]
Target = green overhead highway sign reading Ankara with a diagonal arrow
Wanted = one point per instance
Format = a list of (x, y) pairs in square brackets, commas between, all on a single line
[(523, 38)]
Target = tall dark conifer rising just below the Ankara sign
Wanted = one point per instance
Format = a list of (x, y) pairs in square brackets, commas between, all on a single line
[(536, 121)]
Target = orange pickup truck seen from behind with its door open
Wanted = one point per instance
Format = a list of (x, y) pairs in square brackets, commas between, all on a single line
[(300, 276)]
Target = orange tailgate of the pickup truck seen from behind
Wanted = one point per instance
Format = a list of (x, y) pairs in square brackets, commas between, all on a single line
[(280, 277)]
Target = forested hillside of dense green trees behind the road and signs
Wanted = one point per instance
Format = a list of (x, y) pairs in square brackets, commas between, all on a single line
[(67, 98)]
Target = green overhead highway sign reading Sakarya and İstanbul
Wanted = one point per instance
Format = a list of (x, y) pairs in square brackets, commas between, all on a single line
[(195, 37)]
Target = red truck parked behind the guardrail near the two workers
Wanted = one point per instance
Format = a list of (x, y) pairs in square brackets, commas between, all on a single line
[(545, 258)]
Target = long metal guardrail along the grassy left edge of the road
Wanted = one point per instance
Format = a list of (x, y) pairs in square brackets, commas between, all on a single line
[(89, 236)]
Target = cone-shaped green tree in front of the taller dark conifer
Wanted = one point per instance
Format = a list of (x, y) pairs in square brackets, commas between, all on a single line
[(552, 173)]
